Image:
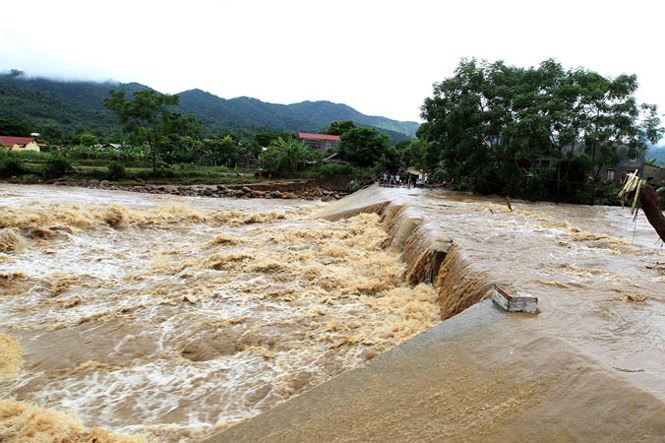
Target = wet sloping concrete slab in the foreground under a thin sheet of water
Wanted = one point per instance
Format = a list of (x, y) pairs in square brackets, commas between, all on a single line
[(480, 376)]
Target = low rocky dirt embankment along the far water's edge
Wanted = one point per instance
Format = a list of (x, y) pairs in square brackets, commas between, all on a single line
[(305, 190)]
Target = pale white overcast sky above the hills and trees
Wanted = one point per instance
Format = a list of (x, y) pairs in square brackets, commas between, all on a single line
[(380, 57)]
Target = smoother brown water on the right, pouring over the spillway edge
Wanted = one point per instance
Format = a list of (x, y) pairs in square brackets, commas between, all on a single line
[(599, 275)]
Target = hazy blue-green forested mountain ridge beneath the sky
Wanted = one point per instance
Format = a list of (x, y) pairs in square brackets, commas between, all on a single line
[(77, 104)]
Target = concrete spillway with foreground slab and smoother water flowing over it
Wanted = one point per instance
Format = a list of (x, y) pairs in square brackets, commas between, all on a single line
[(587, 367)]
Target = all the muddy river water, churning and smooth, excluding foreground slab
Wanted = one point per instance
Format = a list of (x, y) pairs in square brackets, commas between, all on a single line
[(176, 317)]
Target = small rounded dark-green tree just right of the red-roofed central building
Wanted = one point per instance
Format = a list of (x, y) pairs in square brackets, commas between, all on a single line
[(363, 146)]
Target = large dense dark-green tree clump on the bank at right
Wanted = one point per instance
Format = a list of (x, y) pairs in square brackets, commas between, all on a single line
[(489, 123)]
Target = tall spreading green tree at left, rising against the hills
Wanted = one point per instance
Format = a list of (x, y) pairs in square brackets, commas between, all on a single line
[(148, 120)]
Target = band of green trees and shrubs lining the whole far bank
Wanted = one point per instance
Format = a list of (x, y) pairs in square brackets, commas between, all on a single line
[(541, 133)]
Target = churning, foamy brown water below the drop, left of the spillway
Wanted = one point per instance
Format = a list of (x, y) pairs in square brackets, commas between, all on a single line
[(174, 317)]
